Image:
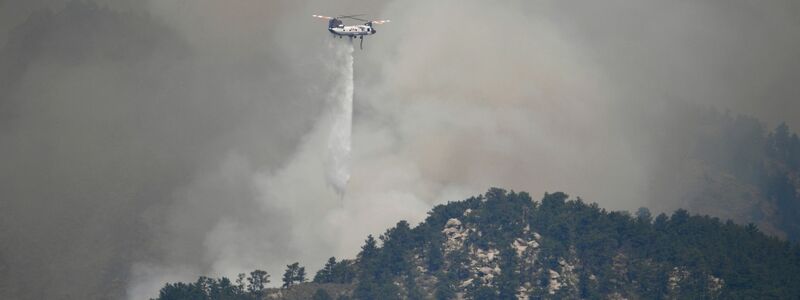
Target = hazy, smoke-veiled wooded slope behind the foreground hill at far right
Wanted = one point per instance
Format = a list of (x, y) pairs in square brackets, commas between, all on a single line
[(732, 167)]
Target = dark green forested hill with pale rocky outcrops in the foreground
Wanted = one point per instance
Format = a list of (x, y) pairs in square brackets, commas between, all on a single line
[(504, 245)]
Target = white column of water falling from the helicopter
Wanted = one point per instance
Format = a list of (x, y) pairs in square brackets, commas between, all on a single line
[(337, 161)]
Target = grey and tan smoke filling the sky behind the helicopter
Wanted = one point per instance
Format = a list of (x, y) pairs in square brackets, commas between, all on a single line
[(147, 141)]
